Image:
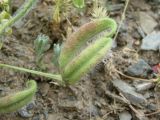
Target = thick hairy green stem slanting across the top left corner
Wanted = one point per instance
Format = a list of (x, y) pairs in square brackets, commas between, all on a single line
[(19, 14)]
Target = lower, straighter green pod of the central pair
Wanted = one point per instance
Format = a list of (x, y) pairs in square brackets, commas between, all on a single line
[(86, 60)]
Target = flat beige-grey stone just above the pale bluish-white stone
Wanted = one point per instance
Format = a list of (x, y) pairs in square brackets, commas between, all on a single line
[(147, 22)]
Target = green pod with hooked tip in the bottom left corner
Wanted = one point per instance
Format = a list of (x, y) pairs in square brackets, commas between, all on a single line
[(15, 101)]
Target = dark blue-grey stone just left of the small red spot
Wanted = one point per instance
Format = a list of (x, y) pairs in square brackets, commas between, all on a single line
[(141, 68)]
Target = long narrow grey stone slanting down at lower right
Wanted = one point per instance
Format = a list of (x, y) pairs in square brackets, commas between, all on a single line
[(129, 92)]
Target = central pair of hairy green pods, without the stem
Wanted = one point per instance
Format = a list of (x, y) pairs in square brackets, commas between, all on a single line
[(74, 66)]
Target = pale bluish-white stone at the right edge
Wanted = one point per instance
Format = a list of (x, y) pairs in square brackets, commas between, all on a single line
[(151, 42)]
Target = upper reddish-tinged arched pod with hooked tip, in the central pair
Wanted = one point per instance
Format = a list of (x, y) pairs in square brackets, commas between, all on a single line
[(79, 38)]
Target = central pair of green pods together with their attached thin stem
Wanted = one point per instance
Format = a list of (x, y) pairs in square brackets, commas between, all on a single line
[(72, 61)]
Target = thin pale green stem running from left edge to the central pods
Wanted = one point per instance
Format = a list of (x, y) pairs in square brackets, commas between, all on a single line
[(56, 77)]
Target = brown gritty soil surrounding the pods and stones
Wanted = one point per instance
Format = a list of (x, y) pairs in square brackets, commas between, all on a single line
[(92, 97)]
